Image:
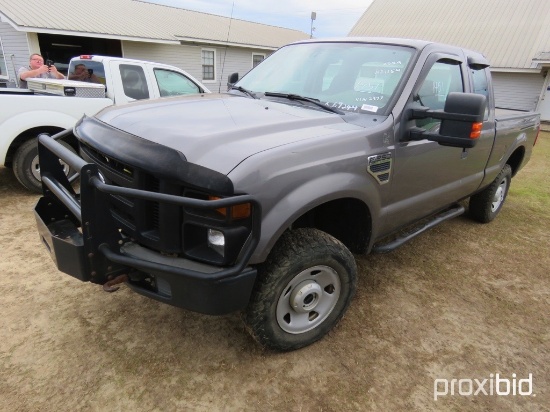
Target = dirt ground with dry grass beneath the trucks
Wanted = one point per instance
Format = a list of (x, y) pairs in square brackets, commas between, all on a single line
[(463, 301)]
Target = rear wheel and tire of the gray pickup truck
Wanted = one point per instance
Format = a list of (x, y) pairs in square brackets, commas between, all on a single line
[(486, 205)]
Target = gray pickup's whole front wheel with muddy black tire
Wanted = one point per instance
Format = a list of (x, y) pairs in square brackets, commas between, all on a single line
[(302, 291)]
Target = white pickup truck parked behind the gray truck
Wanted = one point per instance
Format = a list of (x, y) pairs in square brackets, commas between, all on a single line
[(25, 113)]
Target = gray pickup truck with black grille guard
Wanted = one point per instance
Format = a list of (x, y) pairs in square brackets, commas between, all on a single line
[(255, 200)]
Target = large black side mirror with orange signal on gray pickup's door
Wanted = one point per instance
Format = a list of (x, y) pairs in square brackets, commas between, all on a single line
[(461, 120)]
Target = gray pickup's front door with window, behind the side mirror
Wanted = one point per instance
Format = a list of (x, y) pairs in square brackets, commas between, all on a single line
[(427, 176)]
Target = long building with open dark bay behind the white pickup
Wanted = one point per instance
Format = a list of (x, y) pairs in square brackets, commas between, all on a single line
[(208, 46)]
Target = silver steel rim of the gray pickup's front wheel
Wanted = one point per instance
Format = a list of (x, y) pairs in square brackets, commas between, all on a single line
[(308, 299)]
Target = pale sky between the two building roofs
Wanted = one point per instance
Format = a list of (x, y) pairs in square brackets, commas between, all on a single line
[(334, 17)]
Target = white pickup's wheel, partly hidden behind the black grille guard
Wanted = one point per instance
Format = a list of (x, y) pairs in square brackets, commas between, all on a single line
[(26, 167)]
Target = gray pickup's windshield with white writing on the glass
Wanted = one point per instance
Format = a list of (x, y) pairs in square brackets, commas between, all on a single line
[(354, 77)]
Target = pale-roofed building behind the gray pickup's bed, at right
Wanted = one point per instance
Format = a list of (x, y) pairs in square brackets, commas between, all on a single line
[(513, 34)]
